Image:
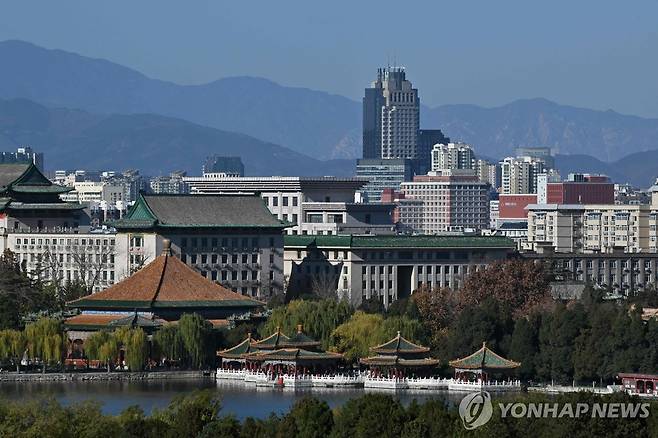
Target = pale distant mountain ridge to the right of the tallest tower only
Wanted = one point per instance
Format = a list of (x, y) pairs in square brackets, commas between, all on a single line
[(606, 135)]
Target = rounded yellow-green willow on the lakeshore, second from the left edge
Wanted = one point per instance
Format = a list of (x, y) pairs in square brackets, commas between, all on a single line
[(45, 340)]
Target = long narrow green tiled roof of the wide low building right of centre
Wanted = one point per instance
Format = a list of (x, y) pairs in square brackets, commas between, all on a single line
[(427, 241)]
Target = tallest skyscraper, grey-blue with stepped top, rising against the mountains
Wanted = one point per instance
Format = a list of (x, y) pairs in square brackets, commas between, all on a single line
[(391, 112)]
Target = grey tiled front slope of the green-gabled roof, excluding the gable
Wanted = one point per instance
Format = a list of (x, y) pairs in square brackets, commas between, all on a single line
[(210, 210)]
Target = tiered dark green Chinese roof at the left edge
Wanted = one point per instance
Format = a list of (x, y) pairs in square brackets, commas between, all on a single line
[(23, 186)]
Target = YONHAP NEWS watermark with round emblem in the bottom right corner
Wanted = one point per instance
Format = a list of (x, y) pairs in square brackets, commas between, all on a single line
[(476, 410)]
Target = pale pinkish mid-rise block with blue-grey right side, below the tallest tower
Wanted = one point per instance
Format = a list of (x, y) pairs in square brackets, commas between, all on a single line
[(434, 204)]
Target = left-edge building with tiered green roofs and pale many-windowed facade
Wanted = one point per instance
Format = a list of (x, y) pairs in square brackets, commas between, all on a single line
[(52, 238)]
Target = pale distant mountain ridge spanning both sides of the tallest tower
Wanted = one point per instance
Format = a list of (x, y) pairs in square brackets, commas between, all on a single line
[(314, 123)]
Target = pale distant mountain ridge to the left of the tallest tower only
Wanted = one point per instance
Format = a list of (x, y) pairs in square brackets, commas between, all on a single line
[(311, 122)]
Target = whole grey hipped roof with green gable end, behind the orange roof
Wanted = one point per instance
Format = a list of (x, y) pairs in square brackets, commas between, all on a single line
[(198, 211)]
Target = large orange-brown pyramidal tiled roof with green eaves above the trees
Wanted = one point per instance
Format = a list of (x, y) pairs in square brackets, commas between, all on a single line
[(156, 295)]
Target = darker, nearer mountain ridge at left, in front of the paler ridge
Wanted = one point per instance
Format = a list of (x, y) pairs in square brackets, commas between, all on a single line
[(152, 143)]
